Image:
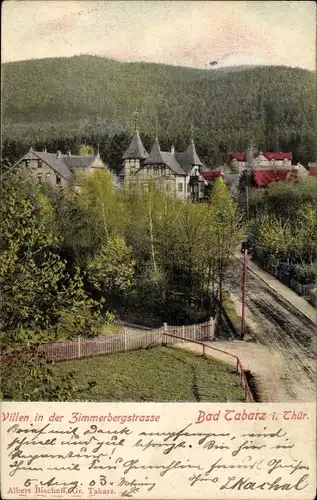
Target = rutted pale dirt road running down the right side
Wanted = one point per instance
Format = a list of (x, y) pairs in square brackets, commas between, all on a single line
[(285, 340)]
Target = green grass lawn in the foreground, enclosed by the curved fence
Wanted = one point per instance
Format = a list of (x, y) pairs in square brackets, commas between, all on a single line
[(156, 374)]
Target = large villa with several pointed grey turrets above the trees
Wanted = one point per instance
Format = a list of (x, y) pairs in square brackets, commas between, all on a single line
[(177, 173)]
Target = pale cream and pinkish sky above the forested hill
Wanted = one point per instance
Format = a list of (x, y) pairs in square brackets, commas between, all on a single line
[(185, 33)]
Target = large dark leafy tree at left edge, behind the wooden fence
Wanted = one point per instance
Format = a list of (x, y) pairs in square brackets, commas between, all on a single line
[(38, 298)]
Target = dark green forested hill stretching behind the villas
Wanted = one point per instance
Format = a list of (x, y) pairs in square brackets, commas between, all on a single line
[(94, 98)]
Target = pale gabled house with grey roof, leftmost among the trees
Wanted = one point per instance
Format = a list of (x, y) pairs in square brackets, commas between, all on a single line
[(58, 169)]
